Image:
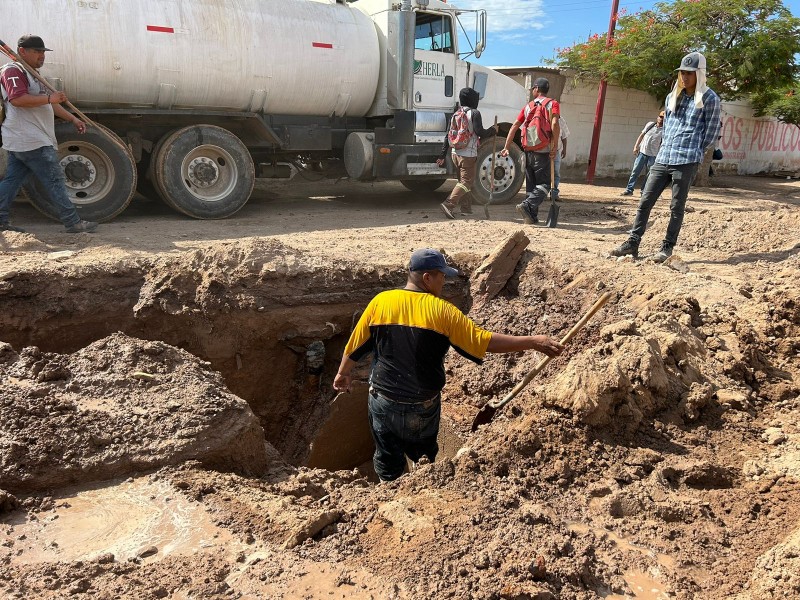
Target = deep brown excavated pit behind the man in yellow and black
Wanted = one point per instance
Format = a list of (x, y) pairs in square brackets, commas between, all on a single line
[(272, 323)]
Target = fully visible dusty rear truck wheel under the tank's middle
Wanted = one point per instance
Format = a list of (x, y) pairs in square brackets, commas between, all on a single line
[(204, 171)]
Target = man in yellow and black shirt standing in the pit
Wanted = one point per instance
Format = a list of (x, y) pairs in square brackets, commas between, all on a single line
[(409, 331)]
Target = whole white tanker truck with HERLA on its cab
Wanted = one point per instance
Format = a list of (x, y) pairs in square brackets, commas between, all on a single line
[(206, 95)]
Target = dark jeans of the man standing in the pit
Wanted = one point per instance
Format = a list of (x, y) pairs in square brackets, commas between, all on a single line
[(401, 430)]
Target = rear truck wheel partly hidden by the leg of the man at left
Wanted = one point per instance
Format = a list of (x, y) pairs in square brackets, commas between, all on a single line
[(100, 174)]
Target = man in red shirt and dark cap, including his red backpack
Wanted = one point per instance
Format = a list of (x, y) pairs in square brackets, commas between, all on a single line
[(540, 134)]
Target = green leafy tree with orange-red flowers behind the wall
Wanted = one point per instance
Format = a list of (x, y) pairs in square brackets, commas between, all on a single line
[(749, 45)]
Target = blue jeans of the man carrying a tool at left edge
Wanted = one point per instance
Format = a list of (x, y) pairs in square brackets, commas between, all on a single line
[(43, 164)]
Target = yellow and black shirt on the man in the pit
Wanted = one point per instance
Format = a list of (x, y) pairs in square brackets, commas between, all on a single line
[(409, 334)]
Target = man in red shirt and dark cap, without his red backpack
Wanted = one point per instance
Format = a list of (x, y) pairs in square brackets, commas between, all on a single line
[(537, 161)]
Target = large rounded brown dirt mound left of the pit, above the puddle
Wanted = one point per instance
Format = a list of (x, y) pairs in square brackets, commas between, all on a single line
[(119, 406)]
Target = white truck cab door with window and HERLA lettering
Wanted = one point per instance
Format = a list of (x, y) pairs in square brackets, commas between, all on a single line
[(434, 62)]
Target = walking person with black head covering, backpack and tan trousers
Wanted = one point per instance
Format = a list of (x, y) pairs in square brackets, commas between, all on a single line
[(466, 130)]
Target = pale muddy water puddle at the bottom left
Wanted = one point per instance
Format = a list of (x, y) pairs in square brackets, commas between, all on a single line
[(124, 518)]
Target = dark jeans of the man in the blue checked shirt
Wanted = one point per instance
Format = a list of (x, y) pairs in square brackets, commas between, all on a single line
[(681, 177)]
